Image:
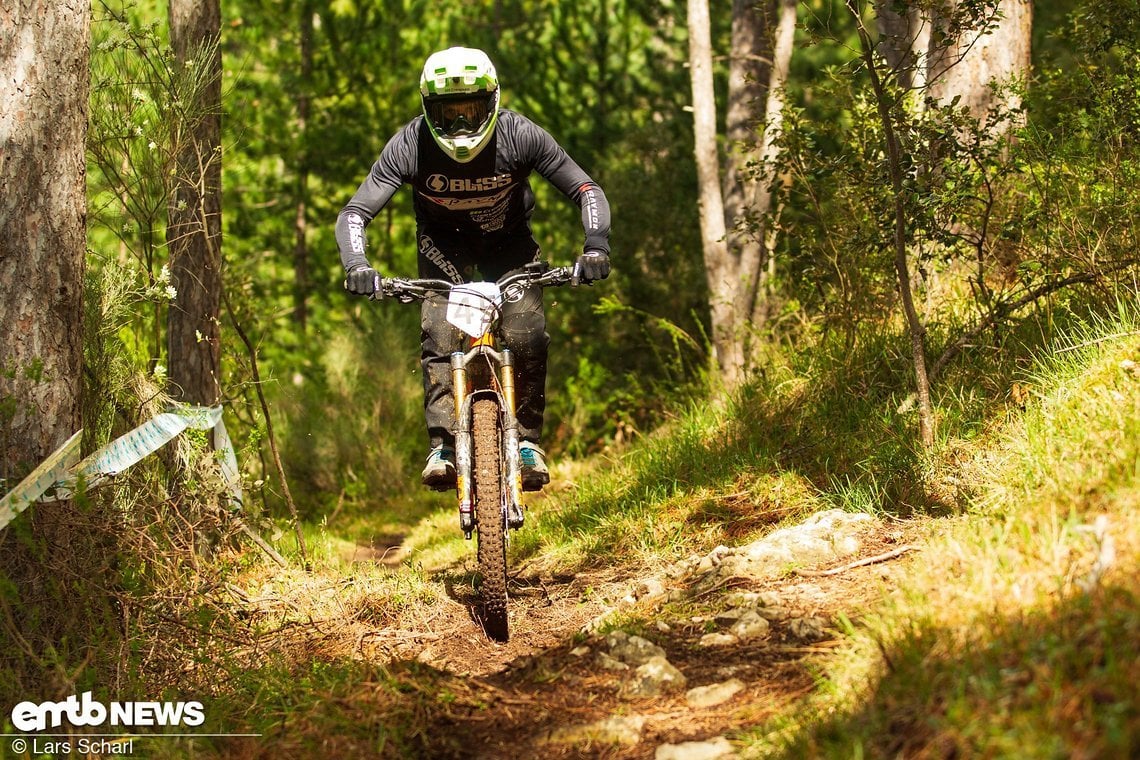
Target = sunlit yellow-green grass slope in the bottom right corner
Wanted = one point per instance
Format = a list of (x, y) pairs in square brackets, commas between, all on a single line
[(1032, 651)]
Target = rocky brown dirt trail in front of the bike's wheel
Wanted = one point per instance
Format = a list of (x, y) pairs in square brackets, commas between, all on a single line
[(726, 647)]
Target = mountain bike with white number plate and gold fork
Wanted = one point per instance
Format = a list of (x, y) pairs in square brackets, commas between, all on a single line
[(487, 462)]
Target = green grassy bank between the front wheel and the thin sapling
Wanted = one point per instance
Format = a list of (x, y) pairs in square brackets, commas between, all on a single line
[(813, 432)]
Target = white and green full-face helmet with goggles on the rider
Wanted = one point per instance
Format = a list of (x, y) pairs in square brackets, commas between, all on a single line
[(461, 97)]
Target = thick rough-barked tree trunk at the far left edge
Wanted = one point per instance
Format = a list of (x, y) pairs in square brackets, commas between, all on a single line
[(44, 87)]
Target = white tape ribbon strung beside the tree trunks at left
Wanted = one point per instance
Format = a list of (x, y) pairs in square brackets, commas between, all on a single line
[(61, 472)]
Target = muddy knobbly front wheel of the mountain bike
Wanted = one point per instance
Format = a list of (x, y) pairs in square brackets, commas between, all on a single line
[(488, 503)]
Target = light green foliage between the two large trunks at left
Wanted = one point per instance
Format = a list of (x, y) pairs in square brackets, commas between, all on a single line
[(142, 113)]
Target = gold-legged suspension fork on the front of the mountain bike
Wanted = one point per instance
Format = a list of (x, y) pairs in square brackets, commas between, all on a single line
[(511, 492)]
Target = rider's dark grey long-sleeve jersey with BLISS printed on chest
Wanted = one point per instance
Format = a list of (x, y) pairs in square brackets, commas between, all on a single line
[(490, 197)]
